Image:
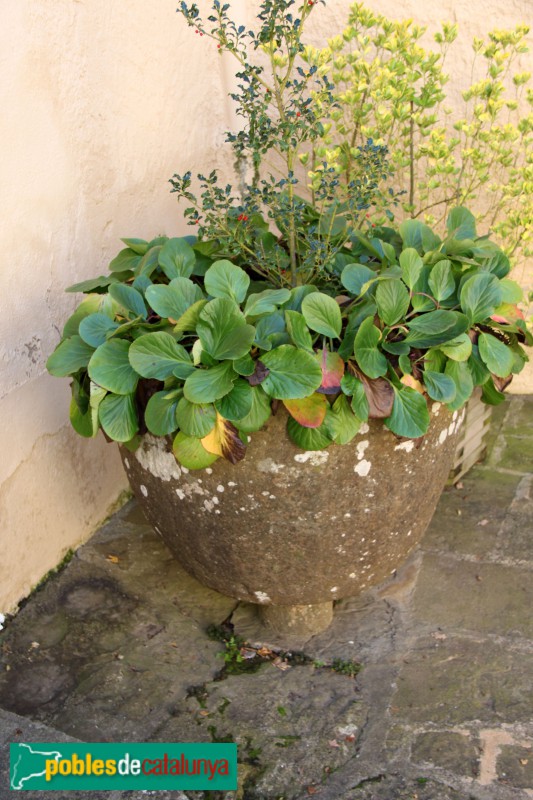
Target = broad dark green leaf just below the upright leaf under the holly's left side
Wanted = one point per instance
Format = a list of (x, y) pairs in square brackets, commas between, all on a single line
[(223, 331)]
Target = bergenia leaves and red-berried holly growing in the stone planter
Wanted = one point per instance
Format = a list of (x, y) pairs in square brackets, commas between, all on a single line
[(281, 301)]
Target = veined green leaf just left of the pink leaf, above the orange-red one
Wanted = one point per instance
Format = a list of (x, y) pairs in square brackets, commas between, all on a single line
[(292, 374)]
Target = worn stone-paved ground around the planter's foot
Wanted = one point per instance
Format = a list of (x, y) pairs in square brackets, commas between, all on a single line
[(116, 647)]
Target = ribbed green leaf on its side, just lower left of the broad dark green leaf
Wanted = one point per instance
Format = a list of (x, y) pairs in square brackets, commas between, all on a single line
[(156, 355)]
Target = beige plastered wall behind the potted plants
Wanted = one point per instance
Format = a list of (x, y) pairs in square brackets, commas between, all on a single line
[(101, 103)]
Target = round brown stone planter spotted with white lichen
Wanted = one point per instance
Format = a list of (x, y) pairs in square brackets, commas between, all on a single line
[(287, 528)]
